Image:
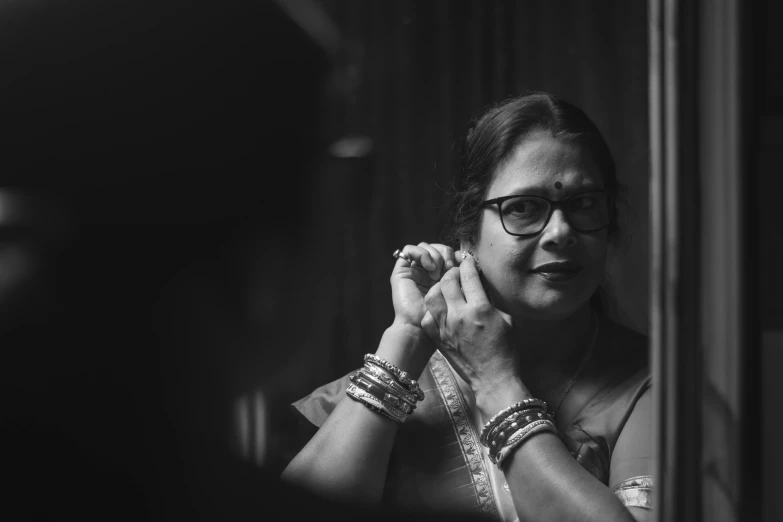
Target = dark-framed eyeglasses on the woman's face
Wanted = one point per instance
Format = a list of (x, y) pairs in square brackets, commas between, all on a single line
[(527, 216)]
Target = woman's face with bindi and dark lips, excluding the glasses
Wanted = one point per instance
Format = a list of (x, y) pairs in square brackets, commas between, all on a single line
[(542, 166)]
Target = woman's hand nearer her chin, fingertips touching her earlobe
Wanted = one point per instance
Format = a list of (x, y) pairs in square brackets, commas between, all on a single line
[(468, 330)]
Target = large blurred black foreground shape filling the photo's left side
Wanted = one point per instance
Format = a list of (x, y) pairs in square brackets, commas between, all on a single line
[(151, 148)]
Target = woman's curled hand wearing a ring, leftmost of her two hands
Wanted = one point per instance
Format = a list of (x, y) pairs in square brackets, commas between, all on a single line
[(411, 281)]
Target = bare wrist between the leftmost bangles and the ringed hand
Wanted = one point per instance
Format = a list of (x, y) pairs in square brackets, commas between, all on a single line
[(407, 347)]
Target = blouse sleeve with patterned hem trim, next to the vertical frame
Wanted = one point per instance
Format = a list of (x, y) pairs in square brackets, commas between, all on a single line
[(631, 463)]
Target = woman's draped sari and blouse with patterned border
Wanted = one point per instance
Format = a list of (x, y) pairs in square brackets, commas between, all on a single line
[(437, 463)]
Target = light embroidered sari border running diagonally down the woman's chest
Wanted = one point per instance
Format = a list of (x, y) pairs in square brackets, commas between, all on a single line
[(468, 440)]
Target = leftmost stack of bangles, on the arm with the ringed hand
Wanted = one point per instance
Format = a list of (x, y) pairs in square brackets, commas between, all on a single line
[(385, 389)]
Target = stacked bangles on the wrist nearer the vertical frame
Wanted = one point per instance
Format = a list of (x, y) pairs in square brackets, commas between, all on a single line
[(512, 426)]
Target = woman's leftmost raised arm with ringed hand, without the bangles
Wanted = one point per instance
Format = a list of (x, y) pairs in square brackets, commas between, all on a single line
[(349, 455)]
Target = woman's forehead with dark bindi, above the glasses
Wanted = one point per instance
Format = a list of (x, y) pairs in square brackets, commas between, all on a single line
[(538, 162)]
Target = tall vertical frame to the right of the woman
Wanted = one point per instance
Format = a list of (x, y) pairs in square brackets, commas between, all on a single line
[(704, 353)]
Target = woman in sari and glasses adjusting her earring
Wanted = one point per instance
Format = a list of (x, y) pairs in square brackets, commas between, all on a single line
[(536, 405)]
